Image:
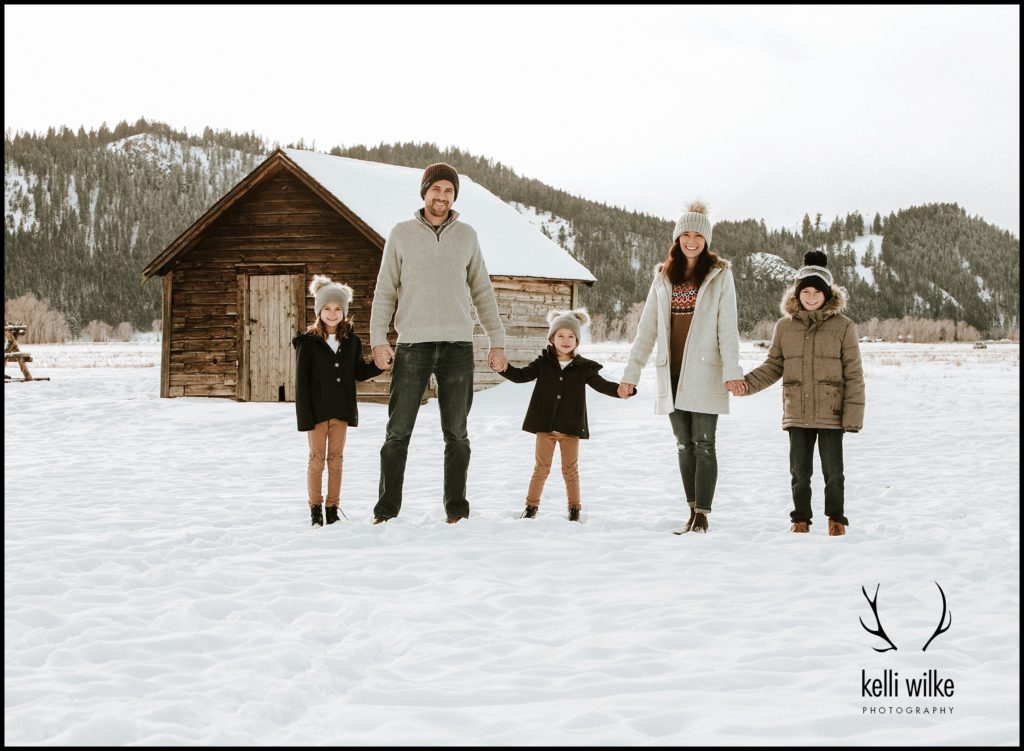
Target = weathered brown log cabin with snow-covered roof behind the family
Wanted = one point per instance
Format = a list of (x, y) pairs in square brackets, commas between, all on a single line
[(236, 283)]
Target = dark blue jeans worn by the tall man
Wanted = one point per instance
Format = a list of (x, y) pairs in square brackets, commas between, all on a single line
[(452, 363)]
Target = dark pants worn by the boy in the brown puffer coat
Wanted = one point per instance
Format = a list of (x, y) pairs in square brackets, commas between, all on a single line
[(802, 468)]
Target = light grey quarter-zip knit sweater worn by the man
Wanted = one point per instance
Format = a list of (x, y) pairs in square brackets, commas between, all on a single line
[(431, 282)]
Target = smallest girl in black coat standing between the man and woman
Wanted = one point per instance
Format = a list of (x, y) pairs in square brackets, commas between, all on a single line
[(558, 411)]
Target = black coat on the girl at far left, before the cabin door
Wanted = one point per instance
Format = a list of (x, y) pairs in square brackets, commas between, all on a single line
[(325, 381)]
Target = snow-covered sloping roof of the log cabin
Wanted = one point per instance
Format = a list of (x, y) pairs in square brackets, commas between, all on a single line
[(383, 195)]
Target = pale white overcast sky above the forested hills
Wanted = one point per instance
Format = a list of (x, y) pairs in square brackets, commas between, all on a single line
[(763, 113)]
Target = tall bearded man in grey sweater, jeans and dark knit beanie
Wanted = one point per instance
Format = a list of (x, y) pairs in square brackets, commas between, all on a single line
[(432, 271)]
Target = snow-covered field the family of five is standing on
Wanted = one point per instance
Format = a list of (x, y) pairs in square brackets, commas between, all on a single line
[(163, 586)]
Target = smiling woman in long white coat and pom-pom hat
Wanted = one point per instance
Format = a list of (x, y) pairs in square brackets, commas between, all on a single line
[(691, 314)]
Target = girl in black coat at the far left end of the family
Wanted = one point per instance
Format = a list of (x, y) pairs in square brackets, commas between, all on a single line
[(329, 361)]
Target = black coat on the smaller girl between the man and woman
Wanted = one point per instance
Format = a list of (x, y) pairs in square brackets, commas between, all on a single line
[(560, 401)]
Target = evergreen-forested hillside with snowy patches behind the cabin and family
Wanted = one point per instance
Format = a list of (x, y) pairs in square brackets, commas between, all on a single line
[(87, 212)]
